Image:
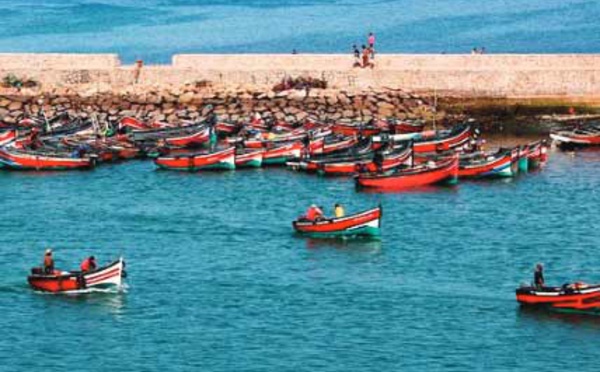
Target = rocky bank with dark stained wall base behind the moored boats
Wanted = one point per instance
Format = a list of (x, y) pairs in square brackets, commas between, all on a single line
[(191, 101)]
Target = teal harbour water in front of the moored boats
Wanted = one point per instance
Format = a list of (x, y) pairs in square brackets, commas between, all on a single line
[(218, 282)]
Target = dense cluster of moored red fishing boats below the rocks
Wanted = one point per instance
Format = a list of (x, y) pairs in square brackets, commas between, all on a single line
[(381, 155)]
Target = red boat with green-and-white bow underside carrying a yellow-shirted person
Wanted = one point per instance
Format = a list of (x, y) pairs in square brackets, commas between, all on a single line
[(367, 223)]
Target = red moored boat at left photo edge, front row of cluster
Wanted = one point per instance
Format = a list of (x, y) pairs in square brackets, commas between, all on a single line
[(34, 160)]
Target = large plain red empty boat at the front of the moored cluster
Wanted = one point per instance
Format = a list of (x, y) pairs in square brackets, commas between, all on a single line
[(427, 174)]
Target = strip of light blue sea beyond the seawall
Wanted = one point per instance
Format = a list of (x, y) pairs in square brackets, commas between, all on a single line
[(154, 30)]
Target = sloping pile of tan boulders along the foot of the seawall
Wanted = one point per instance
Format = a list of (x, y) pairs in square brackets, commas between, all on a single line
[(194, 100)]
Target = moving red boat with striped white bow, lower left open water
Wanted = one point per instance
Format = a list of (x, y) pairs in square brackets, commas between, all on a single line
[(108, 276)]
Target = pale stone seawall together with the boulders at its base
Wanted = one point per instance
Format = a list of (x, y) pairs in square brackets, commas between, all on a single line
[(240, 85)]
